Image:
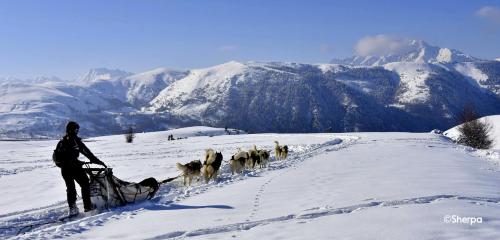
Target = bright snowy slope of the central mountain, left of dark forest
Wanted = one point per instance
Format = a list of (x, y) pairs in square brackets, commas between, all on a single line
[(215, 87)]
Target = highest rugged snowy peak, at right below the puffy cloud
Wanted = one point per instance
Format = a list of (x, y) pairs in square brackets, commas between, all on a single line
[(416, 51)]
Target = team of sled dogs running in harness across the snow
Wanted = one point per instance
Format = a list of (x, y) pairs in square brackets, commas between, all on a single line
[(240, 161)]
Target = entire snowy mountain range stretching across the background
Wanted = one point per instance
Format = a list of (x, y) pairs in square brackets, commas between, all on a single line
[(424, 88)]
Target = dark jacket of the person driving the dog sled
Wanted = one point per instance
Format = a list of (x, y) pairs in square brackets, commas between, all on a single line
[(74, 146)]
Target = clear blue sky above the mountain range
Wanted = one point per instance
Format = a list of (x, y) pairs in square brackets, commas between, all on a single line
[(66, 38)]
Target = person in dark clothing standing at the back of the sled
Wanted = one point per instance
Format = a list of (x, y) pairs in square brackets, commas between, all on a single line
[(66, 157)]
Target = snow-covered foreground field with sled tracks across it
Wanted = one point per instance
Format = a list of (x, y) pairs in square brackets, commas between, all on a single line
[(346, 186)]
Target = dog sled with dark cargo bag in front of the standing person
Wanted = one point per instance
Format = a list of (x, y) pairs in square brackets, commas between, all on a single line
[(108, 191)]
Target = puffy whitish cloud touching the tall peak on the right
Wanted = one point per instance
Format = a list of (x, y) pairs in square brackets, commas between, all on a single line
[(382, 45)]
